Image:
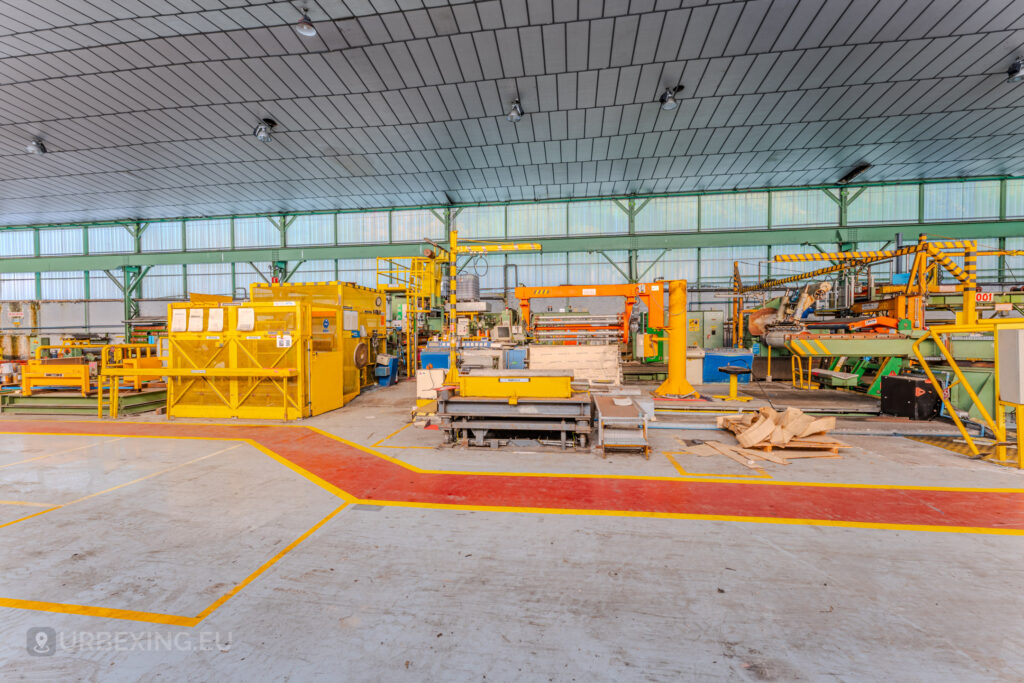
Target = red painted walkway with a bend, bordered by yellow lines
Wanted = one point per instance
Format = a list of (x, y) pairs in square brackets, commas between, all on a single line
[(369, 478)]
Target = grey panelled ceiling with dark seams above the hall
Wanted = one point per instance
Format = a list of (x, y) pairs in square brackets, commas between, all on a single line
[(148, 108)]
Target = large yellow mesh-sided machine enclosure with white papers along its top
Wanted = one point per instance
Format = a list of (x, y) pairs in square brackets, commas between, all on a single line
[(294, 352)]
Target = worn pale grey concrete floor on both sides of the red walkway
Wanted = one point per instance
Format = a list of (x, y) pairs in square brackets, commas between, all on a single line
[(151, 528)]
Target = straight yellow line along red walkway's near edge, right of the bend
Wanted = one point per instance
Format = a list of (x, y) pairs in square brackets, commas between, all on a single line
[(682, 516)]
